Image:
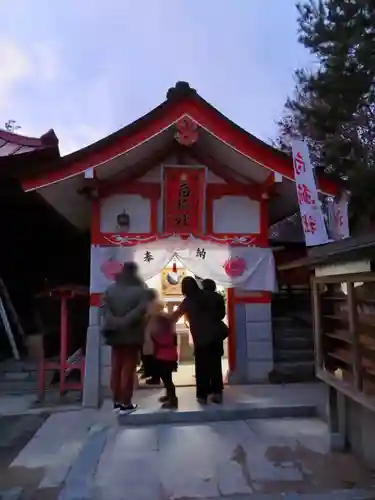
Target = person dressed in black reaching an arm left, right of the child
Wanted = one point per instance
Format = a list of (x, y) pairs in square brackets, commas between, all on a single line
[(204, 312)]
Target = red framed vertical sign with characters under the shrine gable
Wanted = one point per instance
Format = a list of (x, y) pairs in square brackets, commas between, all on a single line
[(183, 200)]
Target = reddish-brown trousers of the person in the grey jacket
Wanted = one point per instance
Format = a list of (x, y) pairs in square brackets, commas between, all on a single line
[(124, 363)]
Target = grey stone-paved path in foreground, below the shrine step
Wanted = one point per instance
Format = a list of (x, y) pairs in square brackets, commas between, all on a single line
[(220, 460)]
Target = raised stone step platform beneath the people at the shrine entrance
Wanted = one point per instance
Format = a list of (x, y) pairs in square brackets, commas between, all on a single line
[(240, 403)]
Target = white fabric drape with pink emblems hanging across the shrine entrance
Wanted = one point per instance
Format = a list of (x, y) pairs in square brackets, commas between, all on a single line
[(249, 268)]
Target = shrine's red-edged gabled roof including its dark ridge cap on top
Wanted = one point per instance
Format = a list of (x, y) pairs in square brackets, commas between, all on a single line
[(181, 101)]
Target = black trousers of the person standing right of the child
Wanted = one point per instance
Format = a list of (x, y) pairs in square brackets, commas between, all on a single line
[(208, 371)]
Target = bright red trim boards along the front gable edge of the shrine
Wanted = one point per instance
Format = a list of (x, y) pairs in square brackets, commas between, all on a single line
[(206, 117)]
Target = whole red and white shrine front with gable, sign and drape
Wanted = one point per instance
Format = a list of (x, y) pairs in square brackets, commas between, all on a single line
[(182, 182)]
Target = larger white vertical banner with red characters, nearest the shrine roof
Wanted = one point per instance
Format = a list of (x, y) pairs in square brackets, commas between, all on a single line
[(310, 208)]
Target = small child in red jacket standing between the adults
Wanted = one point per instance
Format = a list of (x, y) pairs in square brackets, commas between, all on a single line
[(164, 337)]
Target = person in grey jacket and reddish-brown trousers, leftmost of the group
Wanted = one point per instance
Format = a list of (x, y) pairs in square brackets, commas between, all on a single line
[(123, 311)]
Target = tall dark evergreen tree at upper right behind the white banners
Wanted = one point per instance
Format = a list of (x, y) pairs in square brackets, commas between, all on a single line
[(333, 107)]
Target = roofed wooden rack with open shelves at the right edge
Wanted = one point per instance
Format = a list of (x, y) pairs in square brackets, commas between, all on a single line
[(343, 286)]
